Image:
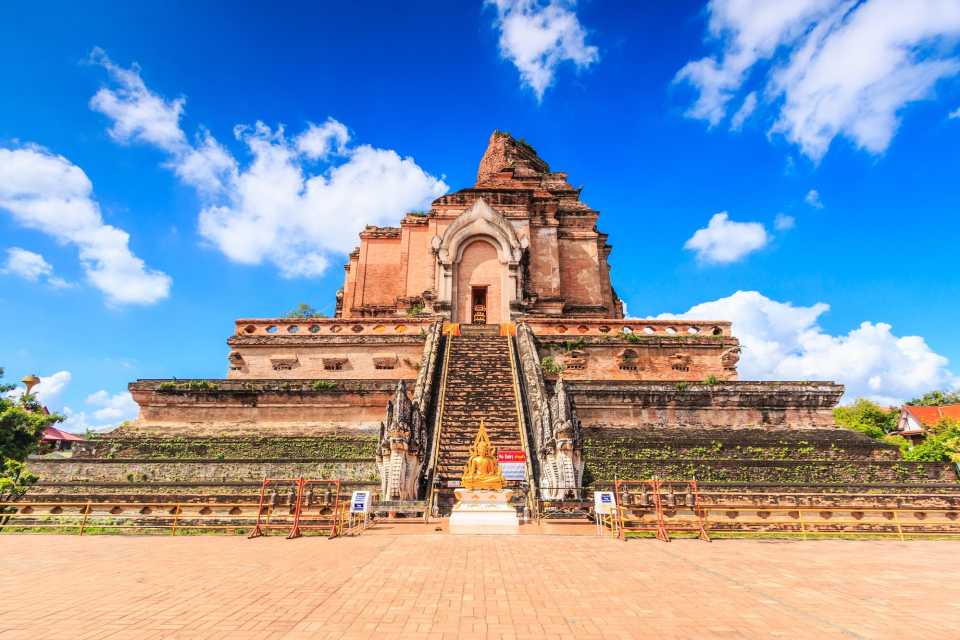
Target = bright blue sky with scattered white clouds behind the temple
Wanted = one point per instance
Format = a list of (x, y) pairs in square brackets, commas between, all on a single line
[(122, 118)]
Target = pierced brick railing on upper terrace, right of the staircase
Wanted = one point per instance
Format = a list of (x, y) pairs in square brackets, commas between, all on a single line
[(607, 327)]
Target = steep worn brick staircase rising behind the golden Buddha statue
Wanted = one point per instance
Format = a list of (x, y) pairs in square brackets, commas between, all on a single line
[(479, 385)]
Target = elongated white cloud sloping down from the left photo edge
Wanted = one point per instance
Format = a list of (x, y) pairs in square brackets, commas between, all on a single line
[(48, 193)]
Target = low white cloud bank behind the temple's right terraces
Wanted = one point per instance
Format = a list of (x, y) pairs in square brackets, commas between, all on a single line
[(785, 342)]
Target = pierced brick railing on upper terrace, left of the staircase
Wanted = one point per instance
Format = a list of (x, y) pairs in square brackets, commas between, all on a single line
[(331, 326)]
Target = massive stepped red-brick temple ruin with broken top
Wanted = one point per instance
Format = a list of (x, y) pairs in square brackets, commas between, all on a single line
[(498, 304)]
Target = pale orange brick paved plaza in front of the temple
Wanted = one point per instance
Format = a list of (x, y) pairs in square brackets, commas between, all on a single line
[(442, 586)]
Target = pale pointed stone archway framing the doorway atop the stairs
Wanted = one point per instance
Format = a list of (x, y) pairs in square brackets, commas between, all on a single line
[(479, 223)]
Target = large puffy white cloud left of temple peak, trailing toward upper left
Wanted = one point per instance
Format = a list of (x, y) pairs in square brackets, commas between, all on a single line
[(275, 208)]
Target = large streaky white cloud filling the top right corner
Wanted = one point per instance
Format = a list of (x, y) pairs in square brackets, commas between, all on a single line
[(829, 67)]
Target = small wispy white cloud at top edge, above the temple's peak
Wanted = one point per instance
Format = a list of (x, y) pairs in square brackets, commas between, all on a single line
[(537, 37)]
